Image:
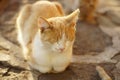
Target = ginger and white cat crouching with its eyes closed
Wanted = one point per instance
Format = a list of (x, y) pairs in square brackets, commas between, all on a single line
[(46, 35)]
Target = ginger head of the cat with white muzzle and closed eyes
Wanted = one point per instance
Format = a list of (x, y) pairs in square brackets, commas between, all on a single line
[(58, 32)]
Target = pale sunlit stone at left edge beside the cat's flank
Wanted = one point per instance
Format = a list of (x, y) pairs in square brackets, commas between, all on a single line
[(15, 57)]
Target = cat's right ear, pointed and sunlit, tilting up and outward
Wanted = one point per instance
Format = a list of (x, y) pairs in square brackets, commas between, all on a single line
[(73, 17)]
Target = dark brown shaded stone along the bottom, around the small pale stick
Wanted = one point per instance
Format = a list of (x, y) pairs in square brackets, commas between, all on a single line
[(79, 72)]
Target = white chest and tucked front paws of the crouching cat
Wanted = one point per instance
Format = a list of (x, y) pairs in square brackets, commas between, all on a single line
[(47, 60)]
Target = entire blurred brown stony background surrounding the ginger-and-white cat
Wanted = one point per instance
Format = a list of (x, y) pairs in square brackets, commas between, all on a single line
[(97, 40)]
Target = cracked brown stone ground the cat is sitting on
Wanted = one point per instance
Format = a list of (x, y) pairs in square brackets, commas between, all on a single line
[(94, 45)]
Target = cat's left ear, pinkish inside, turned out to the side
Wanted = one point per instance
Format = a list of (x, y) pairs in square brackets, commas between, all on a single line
[(43, 24)]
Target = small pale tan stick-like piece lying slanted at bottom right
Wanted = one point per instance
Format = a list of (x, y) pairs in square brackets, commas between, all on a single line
[(103, 75)]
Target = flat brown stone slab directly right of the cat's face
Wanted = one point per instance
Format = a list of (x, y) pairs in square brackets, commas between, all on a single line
[(90, 39)]
